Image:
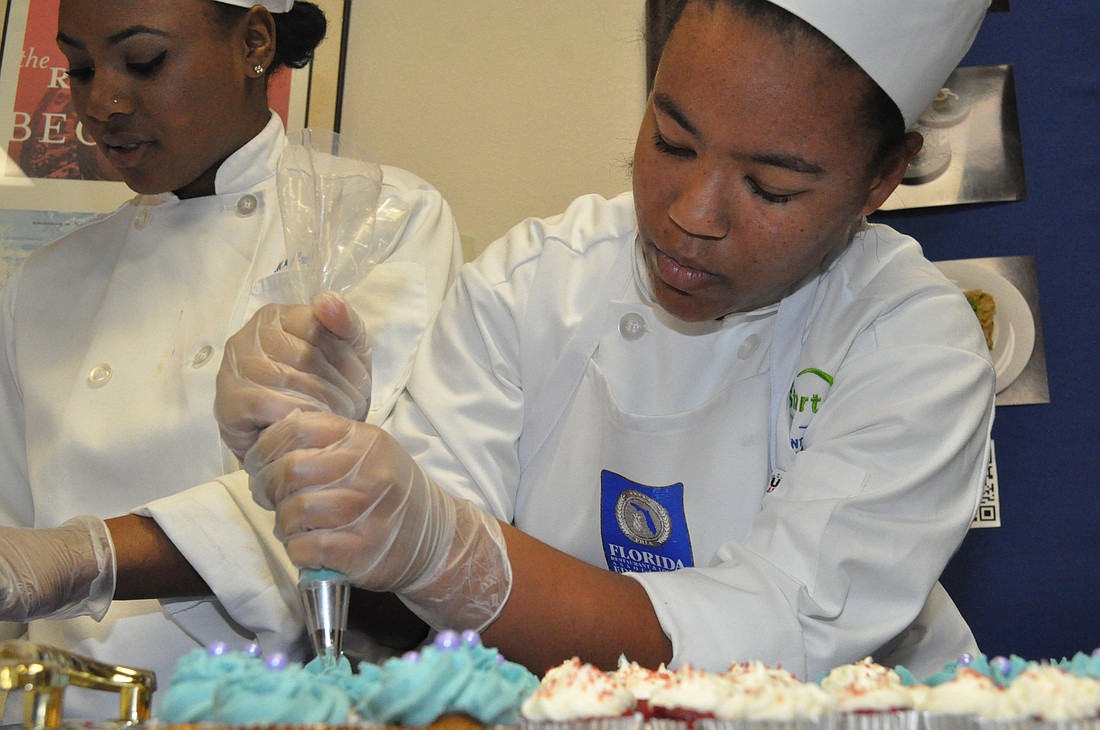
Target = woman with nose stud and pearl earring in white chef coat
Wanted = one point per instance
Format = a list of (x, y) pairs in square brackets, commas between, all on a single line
[(113, 335)]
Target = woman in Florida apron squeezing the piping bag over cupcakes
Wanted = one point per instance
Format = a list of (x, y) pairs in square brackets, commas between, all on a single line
[(722, 418)]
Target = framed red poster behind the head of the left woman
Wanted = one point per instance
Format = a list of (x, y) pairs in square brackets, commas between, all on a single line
[(51, 164)]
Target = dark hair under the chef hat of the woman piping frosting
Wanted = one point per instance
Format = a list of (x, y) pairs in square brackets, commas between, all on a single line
[(879, 113)]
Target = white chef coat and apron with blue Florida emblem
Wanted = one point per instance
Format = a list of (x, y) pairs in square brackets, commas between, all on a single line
[(806, 470)]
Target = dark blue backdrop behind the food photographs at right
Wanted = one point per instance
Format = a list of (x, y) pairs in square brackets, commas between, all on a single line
[(1032, 588)]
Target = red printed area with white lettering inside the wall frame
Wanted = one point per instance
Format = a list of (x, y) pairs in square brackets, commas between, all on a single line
[(47, 139)]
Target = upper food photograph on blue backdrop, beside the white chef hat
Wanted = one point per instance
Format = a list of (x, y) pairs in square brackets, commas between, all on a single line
[(972, 149)]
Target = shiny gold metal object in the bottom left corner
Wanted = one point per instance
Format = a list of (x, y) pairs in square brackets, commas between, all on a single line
[(42, 673)]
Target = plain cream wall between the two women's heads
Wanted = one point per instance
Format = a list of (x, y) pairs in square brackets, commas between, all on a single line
[(512, 108)]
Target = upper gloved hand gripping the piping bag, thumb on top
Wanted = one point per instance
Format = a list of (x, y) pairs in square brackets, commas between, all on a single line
[(293, 358)]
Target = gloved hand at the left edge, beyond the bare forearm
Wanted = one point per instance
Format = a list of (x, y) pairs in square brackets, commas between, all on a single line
[(57, 573)]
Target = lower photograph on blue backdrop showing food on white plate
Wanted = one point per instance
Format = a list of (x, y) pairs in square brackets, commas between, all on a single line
[(1004, 293)]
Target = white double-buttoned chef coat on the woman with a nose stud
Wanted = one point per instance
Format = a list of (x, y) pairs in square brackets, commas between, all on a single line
[(113, 338)]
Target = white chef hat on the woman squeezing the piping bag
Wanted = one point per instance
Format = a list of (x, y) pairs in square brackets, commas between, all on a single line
[(908, 47)]
